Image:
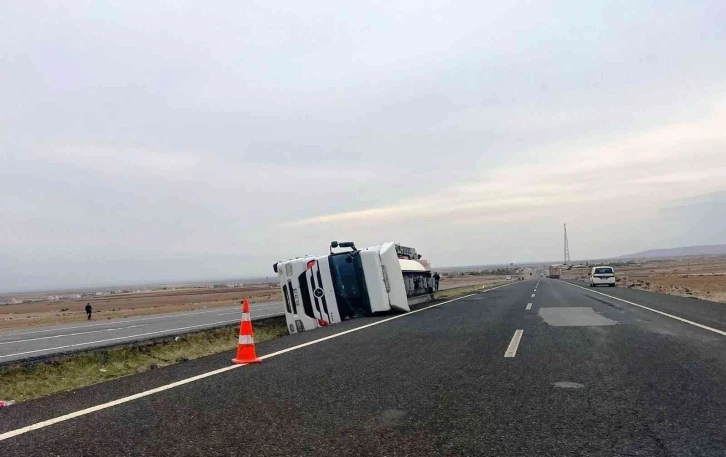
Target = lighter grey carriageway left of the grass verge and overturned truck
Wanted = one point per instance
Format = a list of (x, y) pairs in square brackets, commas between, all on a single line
[(46, 341)]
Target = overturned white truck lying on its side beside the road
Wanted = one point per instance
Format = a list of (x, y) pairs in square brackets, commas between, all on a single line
[(328, 289)]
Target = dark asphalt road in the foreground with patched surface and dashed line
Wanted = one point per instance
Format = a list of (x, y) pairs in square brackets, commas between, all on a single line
[(578, 373)]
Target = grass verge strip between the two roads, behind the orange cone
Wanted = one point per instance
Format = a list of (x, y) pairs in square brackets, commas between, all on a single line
[(21, 383)]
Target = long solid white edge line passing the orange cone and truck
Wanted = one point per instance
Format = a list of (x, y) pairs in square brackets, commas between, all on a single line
[(83, 412)]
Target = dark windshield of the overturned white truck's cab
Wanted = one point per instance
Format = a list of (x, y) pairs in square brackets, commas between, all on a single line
[(349, 284)]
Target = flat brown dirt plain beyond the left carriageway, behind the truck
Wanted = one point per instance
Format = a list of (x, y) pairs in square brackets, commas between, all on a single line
[(156, 302)]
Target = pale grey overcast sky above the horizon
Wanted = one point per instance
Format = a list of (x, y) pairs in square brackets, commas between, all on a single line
[(158, 141)]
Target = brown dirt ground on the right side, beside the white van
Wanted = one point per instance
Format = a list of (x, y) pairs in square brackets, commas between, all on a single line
[(701, 277)]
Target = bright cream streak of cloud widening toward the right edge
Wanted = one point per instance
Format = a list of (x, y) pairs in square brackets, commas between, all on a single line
[(656, 167)]
